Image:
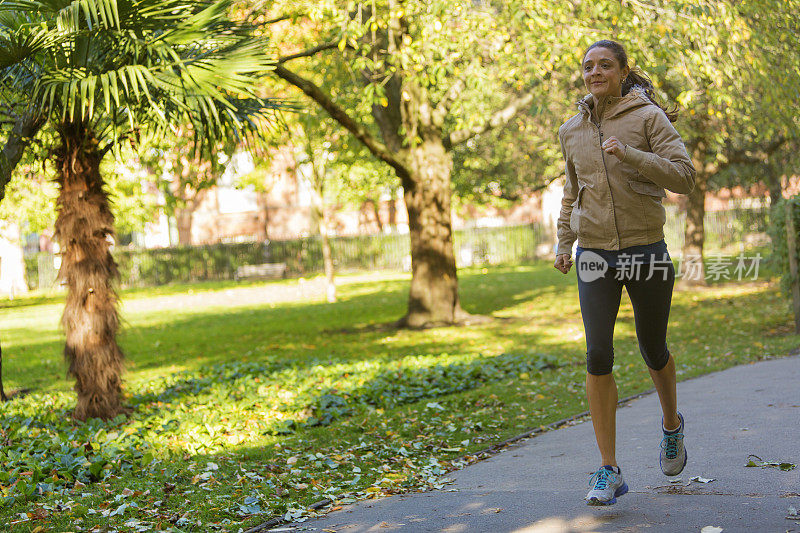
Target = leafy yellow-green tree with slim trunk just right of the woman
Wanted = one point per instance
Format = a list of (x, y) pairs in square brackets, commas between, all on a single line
[(718, 60)]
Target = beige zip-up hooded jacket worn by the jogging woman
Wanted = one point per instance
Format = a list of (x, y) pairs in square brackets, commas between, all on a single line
[(612, 204)]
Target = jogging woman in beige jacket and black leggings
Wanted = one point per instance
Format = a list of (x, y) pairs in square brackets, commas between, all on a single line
[(621, 151)]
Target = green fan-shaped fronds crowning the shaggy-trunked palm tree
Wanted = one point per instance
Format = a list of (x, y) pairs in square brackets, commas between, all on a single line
[(132, 65)]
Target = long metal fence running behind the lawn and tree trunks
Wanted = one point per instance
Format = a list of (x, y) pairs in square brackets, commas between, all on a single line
[(475, 246)]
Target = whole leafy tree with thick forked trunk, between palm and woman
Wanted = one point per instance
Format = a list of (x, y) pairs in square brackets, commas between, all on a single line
[(422, 78)]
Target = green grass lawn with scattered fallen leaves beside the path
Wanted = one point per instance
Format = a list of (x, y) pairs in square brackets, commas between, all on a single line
[(244, 412)]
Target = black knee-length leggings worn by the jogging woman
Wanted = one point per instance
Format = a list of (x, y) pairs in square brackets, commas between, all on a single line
[(651, 299)]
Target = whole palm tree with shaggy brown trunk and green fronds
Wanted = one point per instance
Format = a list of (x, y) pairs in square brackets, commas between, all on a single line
[(96, 73)]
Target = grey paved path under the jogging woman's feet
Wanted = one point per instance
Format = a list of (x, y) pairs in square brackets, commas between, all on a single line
[(538, 485)]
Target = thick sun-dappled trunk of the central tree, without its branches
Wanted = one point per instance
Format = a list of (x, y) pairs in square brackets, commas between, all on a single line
[(433, 299)]
